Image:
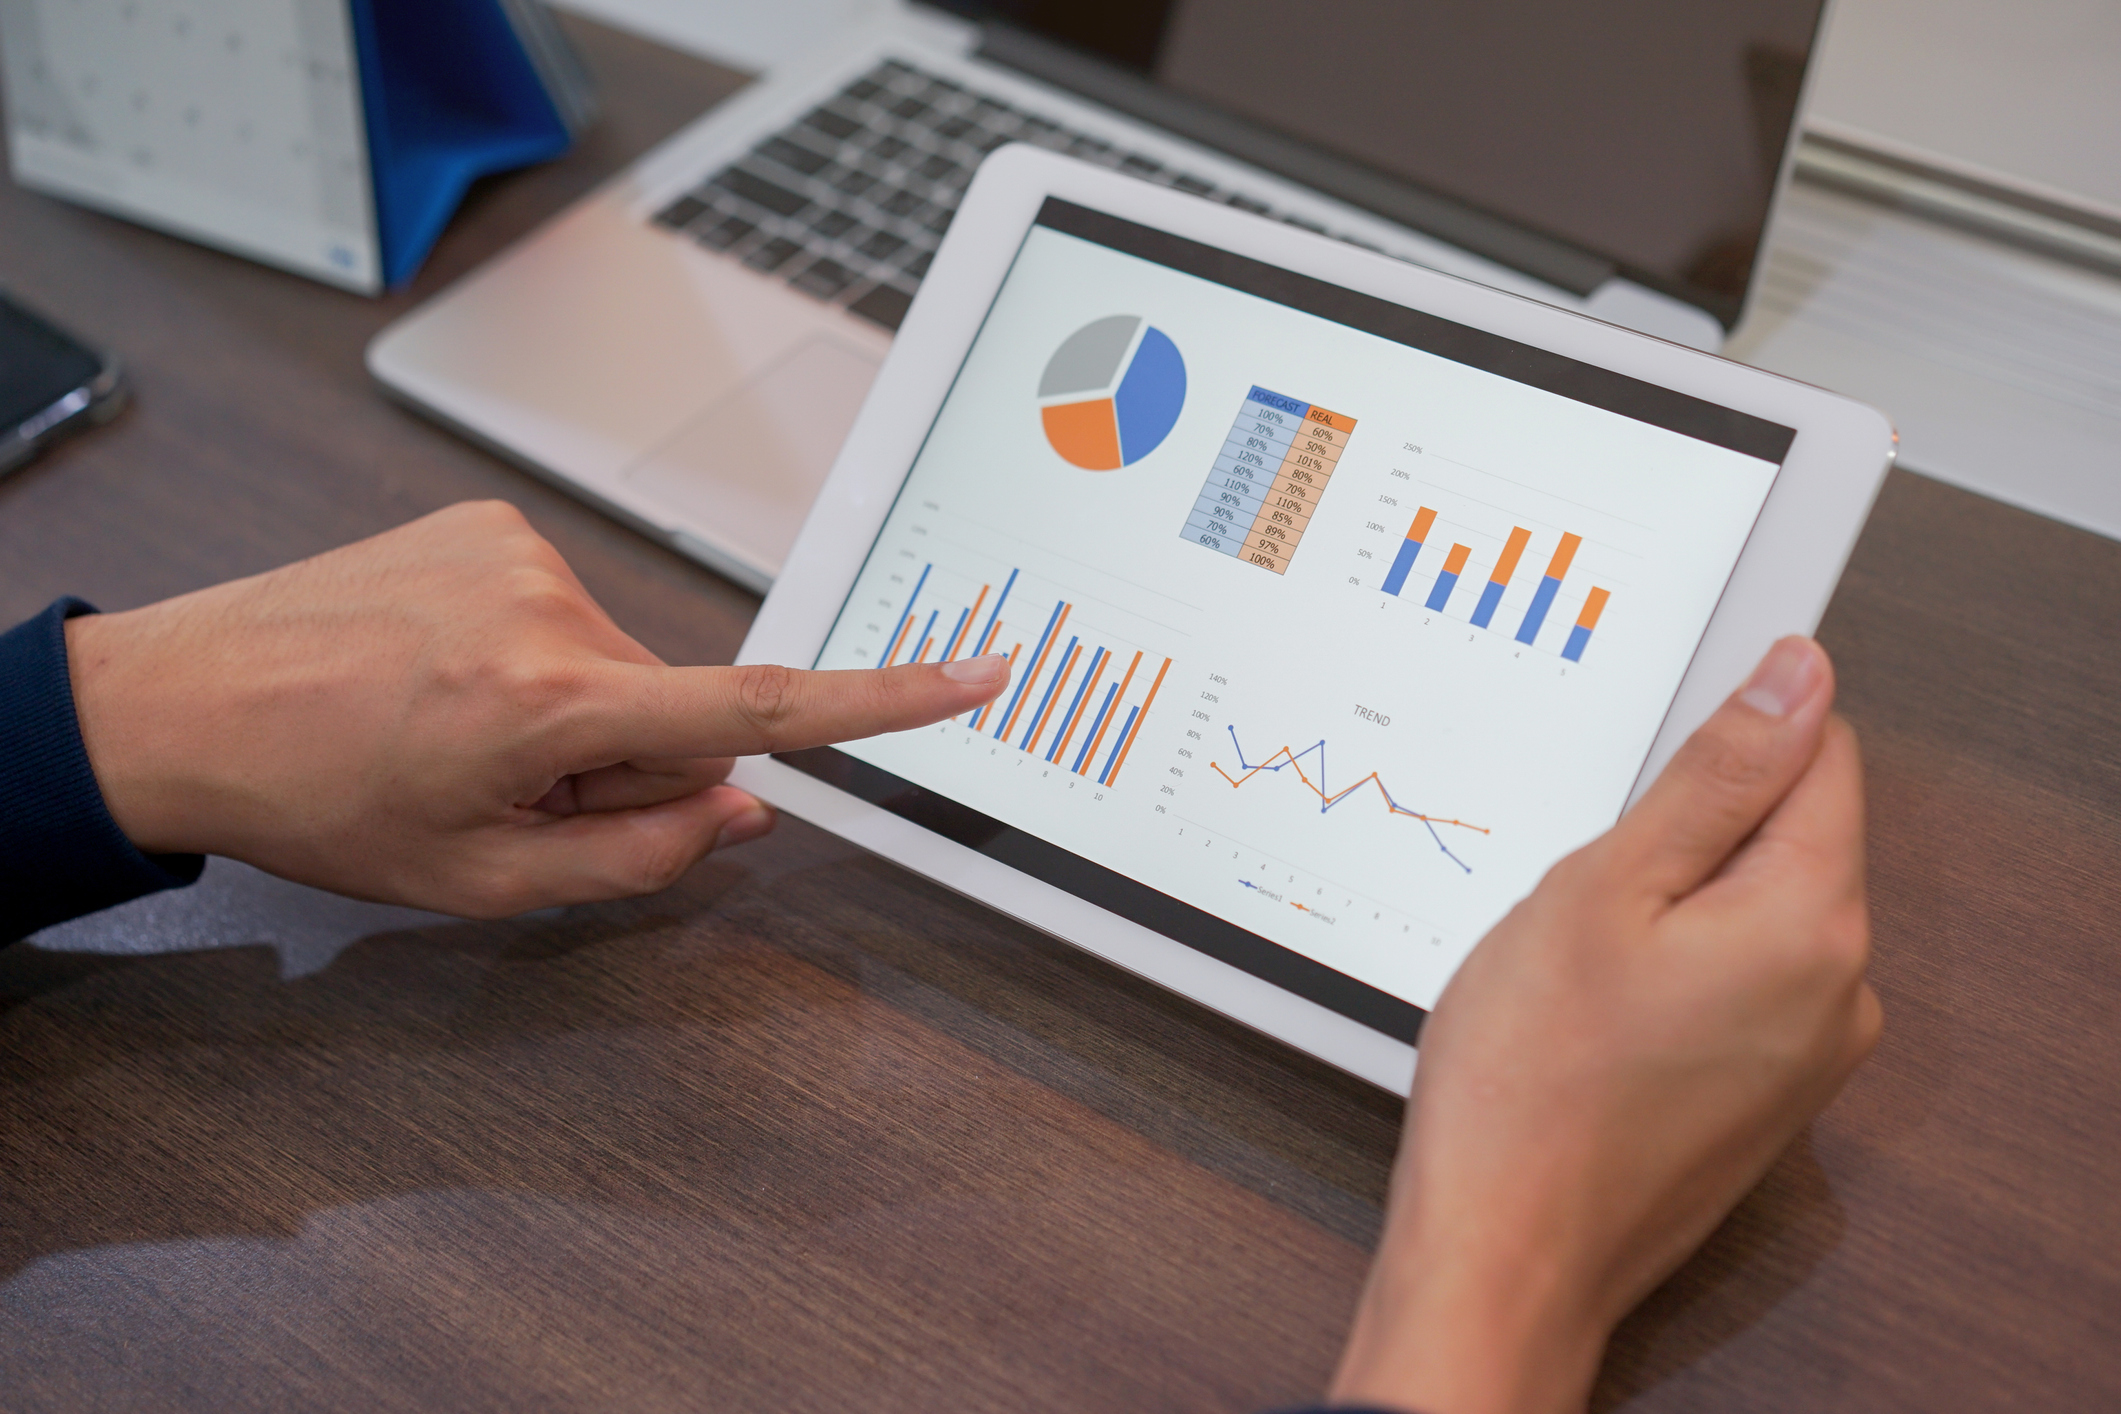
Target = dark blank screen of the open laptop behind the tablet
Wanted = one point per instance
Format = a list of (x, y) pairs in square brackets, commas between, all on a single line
[(1647, 132)]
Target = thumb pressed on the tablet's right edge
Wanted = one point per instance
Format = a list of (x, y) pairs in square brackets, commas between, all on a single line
[(1730, 775)]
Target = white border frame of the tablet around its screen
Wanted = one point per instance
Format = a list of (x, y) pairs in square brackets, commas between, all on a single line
[(1781, 586)]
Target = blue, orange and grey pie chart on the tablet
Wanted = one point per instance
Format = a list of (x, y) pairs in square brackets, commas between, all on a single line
[(1112, 393)]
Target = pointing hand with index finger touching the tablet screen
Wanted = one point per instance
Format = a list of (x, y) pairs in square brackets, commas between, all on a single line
[(444, 718)]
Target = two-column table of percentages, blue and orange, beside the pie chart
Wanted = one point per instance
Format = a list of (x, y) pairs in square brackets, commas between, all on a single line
[(1267, 480)]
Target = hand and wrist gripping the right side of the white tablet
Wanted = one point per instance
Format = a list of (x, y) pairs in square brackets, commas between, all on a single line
[(1624, 1059)]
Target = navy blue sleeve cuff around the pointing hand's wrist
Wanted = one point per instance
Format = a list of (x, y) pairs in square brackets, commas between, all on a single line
[(60, 851)]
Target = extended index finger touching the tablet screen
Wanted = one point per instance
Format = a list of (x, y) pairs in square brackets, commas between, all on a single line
[(648, 711)]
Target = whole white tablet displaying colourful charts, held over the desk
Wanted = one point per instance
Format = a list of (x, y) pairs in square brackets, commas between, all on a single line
[(1342, 597)]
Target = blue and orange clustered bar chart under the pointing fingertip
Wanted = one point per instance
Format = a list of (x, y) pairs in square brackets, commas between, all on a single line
[(1079, 696)]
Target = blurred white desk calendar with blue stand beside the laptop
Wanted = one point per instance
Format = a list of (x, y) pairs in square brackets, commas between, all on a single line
[(326, 137)]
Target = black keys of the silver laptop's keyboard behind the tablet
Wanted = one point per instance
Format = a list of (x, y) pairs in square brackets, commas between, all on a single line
[(849, 202)]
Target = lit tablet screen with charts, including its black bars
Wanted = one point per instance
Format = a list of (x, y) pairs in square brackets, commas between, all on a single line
[(1333, 624)]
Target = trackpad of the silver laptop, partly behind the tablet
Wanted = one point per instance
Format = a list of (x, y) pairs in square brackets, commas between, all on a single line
[(748, 470)]
